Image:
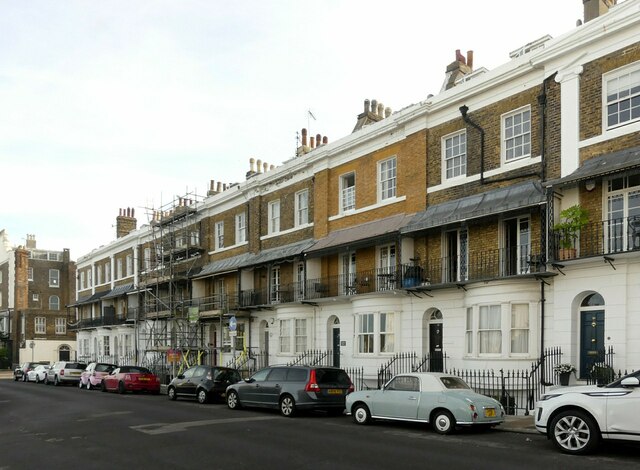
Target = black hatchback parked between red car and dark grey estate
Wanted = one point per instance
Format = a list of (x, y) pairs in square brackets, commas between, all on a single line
[(203, 383)]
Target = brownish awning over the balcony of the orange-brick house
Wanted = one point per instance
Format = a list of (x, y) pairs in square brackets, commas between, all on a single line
[(364, 234)]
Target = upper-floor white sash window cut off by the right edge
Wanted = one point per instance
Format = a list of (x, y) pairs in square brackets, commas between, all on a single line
[(626, 80)]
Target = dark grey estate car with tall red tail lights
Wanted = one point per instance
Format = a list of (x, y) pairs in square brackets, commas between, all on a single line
[(289, 388)]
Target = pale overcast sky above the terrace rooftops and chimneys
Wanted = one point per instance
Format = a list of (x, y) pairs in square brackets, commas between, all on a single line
[(130, 103)]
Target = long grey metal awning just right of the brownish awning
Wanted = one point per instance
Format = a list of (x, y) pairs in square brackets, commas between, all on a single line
[(497, 201)]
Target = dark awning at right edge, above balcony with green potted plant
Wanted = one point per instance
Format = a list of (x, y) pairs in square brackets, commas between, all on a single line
[(615, 162)]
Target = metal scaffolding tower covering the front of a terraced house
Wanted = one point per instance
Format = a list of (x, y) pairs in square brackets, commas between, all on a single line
[(170, 335)]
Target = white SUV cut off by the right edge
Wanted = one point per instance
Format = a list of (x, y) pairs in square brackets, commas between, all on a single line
[(577, 418)]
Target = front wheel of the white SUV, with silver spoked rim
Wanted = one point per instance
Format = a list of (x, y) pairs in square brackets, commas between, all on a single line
[(574, 432)]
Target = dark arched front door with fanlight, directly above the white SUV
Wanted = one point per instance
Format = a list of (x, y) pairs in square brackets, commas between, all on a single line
[(592, 348)]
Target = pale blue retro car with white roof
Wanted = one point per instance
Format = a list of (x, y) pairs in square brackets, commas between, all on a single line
[(444, 401)]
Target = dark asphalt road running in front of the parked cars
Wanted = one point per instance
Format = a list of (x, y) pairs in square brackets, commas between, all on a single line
[(55, 427)]
